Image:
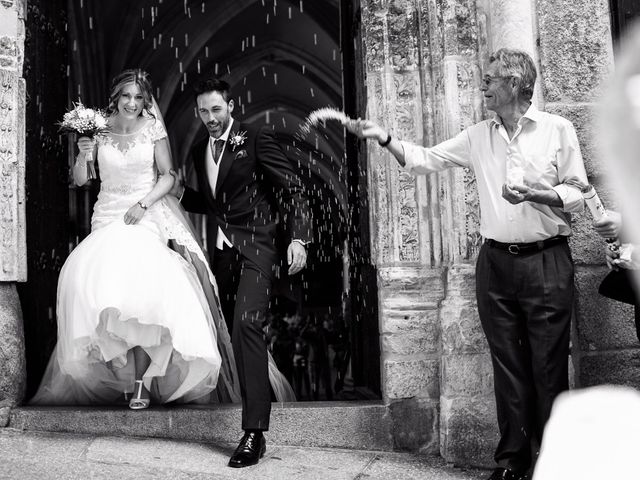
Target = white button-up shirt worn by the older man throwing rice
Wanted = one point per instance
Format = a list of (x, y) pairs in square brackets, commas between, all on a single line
[(544, 151)]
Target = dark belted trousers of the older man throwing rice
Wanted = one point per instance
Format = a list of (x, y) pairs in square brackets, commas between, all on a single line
[(525, 304)]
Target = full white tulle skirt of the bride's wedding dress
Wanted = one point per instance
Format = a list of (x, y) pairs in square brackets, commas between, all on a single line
[(123, 287)]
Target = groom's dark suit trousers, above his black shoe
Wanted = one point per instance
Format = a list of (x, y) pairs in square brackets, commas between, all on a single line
[(244, 296)]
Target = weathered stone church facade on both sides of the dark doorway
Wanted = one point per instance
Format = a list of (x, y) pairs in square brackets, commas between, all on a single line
[(422, 61)]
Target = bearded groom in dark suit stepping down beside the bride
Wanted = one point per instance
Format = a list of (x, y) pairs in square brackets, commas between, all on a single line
[(242, 172)]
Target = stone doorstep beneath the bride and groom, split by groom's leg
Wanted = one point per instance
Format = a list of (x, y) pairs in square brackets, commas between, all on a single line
[(356, 425)]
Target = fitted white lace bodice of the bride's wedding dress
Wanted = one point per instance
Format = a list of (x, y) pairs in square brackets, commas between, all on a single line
[(127, 170)]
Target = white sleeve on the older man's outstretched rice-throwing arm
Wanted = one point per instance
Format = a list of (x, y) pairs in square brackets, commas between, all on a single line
[(454, 152)]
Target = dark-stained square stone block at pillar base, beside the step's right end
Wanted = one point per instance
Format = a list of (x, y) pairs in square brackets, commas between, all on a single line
[(415, 425)]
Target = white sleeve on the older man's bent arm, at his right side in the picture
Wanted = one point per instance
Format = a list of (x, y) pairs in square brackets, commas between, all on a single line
[(571, 173)]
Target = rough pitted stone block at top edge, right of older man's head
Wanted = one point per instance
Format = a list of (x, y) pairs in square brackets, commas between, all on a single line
[(575, 48)]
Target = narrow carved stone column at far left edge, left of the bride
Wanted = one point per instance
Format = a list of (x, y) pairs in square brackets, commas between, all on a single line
[(12, 205)]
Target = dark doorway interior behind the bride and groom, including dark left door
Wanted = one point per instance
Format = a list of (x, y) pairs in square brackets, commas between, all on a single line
[(285, 59)]
